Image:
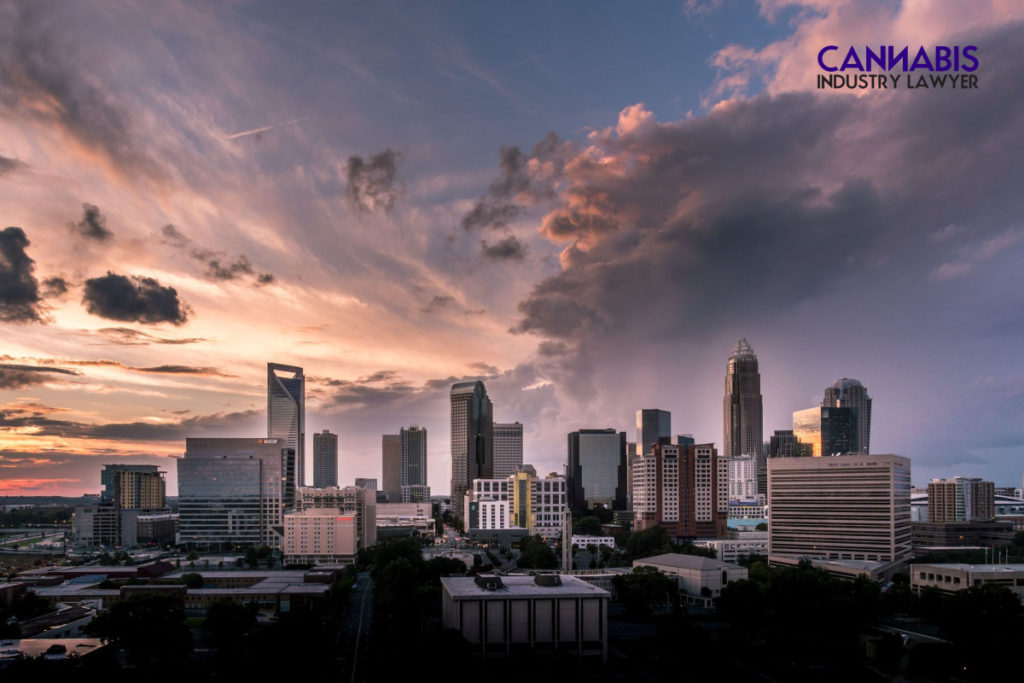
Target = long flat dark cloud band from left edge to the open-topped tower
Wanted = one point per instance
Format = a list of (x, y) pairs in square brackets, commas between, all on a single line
[(207, 425)]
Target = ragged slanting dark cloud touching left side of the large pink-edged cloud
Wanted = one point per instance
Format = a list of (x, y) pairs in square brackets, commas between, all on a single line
[(524, 180)]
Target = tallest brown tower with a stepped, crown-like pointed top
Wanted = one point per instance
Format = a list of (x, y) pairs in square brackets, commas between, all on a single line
[(743, 407)]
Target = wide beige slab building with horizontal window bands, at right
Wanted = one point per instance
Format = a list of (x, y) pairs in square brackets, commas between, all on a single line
[(847, 508)]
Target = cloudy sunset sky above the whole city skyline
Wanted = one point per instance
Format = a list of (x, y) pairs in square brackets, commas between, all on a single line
[(585, 205)]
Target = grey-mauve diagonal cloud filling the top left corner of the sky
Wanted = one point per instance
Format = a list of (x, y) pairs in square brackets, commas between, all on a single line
[(44, 77)]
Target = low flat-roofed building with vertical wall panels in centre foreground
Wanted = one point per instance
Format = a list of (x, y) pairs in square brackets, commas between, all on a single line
[(508, 614)]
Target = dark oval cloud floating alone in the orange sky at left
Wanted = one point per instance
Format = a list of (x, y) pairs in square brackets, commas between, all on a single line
[(134, 298)]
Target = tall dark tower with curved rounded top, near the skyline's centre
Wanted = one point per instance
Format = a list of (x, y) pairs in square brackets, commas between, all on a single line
[(473, 439)]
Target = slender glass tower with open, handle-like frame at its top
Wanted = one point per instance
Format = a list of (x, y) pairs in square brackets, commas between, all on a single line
[(286, 412)]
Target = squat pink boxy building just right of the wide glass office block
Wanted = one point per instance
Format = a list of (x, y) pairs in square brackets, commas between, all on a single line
[(320, 536)]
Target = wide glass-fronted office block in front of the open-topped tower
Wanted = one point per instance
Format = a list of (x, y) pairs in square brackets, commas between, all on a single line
[(235, 492)]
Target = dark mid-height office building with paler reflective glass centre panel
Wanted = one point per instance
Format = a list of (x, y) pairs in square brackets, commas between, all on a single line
[(596, 469)]
